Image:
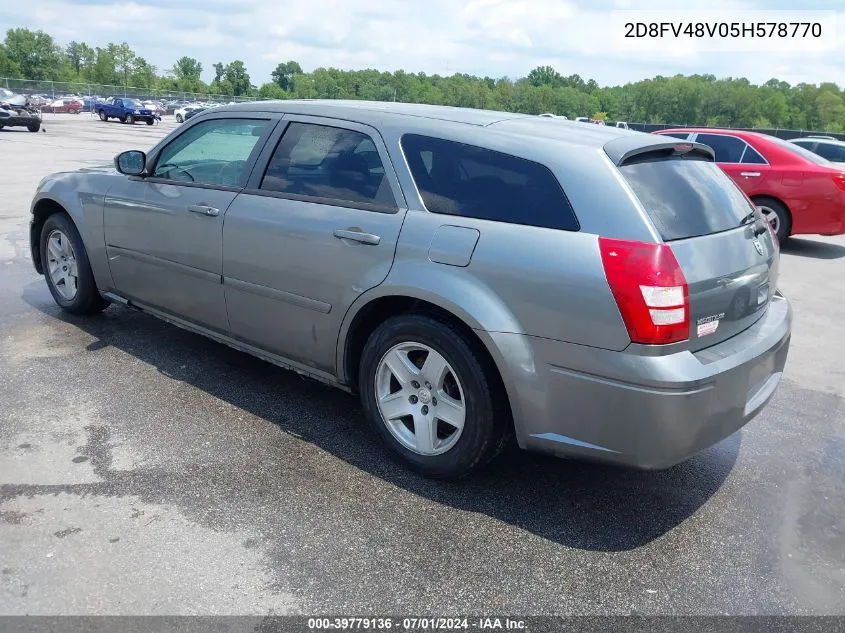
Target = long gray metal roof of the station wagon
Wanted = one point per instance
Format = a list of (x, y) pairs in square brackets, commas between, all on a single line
[(436, 117)]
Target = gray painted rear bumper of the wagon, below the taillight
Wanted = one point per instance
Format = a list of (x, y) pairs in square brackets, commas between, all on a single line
[(649, 412)]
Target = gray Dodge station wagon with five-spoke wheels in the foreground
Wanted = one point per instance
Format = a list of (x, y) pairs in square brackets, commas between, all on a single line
[(473, 276)]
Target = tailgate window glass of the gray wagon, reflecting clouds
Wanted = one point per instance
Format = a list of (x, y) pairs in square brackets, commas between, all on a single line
[(687, 197)]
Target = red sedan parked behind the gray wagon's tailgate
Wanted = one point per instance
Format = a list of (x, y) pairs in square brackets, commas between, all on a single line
[(797, 190)]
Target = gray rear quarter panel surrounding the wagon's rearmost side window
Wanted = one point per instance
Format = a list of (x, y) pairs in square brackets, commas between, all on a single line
[(520, 279)]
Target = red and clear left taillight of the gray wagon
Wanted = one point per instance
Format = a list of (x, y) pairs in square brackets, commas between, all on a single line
[(649, 288)]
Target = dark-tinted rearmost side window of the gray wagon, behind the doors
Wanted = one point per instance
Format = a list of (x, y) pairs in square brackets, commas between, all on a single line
[(469, 181)]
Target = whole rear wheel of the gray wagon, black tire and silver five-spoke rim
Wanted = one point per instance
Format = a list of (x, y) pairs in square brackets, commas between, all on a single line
[(432, 398)]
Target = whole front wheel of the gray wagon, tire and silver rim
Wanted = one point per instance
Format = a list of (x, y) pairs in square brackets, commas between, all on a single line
[(66, 267)]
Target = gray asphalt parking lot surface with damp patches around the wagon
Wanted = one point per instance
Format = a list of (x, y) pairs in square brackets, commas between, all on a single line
[(148, 470)]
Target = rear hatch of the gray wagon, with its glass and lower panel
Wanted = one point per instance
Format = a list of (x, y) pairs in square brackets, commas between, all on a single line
[(723, 245)]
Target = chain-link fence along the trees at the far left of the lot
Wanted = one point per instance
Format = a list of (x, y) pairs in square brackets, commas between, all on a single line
[(58, 89)]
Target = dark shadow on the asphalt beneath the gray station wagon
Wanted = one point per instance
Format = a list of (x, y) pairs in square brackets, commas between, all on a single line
[(580, 505)]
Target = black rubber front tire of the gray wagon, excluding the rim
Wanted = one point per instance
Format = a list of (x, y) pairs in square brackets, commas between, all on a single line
[(88, 299)]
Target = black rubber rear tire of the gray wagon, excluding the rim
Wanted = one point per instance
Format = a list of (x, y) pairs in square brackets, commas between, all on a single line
[(487, 425)]
